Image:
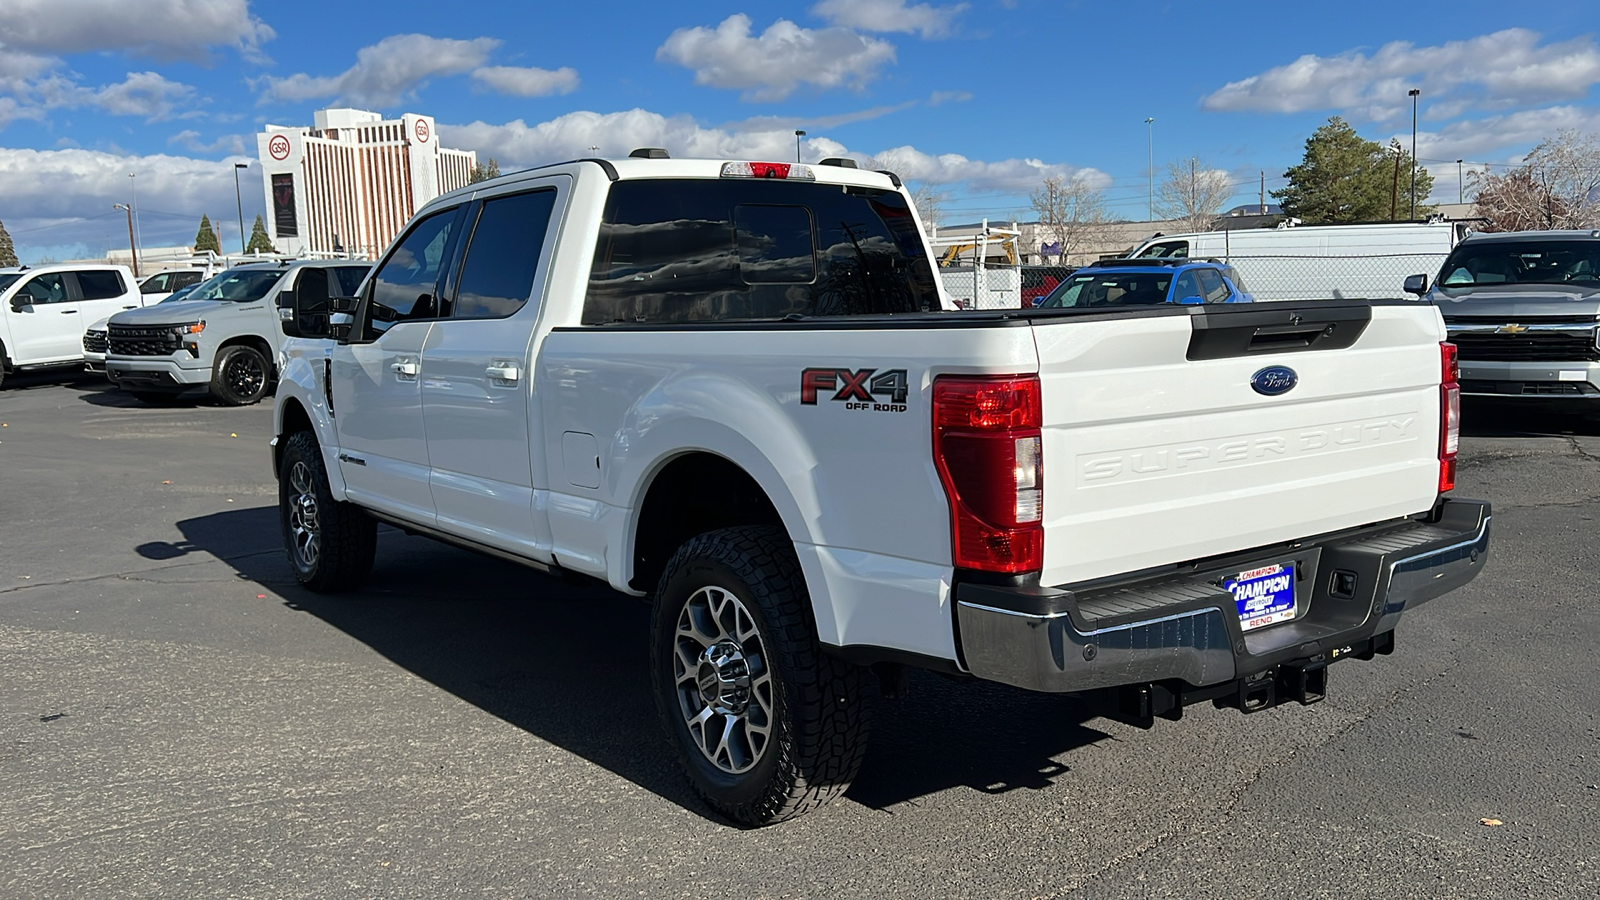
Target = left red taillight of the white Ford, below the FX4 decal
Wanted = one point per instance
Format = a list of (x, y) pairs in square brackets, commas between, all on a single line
[(990, 452)]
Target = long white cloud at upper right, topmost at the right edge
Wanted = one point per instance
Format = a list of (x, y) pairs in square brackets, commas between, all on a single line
[(1497, 70)]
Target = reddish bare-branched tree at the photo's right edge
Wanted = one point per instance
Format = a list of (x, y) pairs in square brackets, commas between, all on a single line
[(1556, 188)]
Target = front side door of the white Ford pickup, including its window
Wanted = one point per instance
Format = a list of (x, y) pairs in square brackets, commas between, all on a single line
[(377, 376)]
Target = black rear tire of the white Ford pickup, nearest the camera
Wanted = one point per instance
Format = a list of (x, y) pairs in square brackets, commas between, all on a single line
[(822, 712)]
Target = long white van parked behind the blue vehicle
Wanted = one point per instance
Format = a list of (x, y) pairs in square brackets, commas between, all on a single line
[(1319, 262)]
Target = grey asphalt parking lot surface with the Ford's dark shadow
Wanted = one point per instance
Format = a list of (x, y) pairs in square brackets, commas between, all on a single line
[(178, 720)]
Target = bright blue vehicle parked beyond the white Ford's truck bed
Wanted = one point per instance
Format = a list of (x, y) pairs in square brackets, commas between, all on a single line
[(1132, 283)]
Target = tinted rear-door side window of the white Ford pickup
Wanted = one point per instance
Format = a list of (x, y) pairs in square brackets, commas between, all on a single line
[(503, 255)]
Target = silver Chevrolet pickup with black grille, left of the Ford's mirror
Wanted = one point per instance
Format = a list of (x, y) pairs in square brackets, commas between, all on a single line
[(225, 335)]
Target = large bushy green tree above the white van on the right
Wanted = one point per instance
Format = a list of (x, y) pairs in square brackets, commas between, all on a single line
[(1346, 179)]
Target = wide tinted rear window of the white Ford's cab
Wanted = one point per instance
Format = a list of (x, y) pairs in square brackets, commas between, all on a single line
[(700, 251)]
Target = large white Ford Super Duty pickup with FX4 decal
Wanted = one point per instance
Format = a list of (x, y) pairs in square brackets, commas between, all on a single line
[(734, 388)]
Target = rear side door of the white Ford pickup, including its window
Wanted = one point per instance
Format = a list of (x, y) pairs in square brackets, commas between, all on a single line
[(478, 380)]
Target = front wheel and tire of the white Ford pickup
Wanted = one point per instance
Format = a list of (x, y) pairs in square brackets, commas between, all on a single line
[(346, 536)]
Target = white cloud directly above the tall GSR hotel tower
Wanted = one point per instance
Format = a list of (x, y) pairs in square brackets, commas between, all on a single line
[(386, 71)]
